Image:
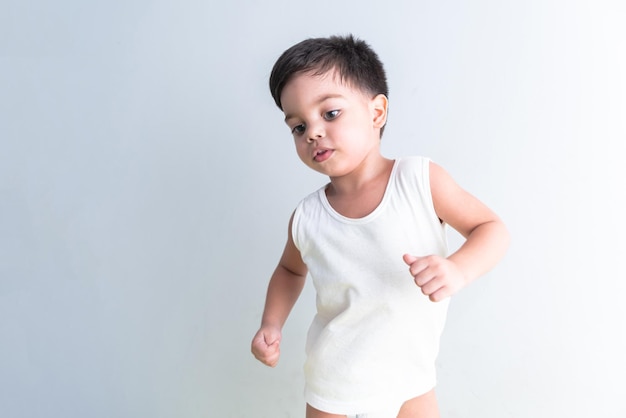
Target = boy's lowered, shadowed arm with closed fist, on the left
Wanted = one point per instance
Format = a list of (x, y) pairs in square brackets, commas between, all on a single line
[(283, 291)]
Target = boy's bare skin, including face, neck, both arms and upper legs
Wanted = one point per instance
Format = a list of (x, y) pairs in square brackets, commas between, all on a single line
[(336, 131)]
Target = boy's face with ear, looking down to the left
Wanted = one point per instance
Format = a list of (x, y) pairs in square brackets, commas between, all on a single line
[(336, 127)]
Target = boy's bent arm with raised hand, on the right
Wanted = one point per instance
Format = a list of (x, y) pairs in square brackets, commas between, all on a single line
[(486, 239)]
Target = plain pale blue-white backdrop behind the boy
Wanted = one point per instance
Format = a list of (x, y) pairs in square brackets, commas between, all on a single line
[(146, 180)]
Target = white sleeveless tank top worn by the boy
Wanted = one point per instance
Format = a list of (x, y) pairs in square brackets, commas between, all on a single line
[(375, 337)]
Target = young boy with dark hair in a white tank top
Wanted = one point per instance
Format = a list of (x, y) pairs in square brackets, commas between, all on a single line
[(373, 240)]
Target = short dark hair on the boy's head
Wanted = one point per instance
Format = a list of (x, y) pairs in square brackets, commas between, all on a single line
[(353, 59)]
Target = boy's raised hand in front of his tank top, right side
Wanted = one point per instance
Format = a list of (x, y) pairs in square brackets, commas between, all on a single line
[(436, 276)]
